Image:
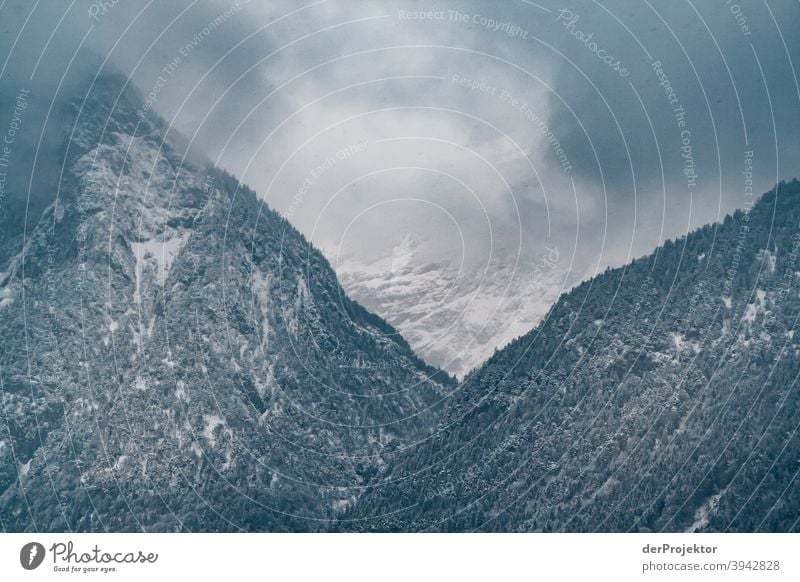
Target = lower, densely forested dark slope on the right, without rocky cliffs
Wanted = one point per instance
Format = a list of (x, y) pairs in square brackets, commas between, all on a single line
[(660, 396)]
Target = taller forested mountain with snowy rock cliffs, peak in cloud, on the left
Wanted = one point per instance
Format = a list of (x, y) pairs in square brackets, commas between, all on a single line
[(176, 356)]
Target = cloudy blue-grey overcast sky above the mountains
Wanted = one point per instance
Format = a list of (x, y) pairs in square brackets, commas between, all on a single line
[(486, 131)]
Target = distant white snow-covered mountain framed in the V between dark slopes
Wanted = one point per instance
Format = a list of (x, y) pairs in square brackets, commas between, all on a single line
[(455, 317)]
